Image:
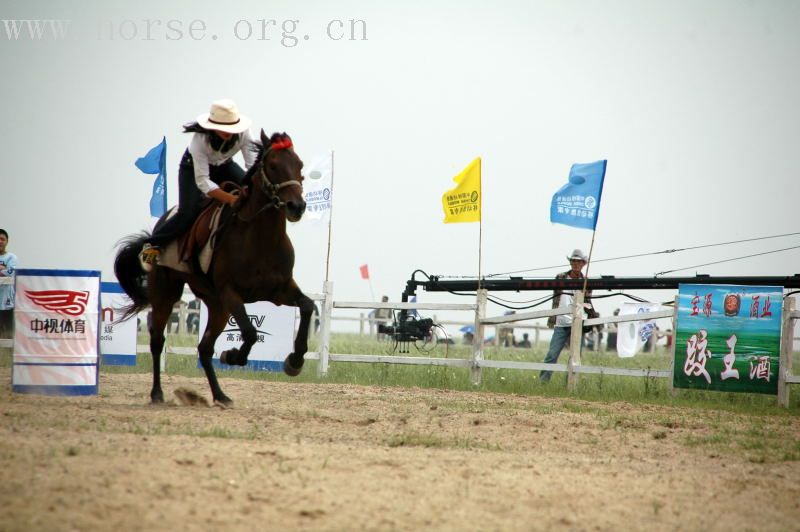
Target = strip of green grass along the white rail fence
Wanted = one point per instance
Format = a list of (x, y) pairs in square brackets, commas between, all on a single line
[(590, 387)]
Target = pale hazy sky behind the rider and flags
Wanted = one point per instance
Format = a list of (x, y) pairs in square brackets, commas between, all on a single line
[(694, 104)]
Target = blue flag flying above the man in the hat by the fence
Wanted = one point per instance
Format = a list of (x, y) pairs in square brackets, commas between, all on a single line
[(578, 202)]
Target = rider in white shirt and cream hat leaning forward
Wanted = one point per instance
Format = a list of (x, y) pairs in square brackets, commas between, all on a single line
[(208, 161)]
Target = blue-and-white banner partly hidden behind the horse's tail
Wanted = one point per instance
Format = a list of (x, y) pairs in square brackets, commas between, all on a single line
[(117, 340)]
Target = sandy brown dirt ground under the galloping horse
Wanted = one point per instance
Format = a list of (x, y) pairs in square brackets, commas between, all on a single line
[(341, 457)]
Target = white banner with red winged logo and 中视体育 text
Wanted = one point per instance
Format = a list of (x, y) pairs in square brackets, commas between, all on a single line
[(56, 342)]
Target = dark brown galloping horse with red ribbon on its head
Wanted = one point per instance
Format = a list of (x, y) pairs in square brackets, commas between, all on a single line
[(253, 261)]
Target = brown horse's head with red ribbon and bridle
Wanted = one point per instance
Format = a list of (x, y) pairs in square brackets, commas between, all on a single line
[(280, 176)]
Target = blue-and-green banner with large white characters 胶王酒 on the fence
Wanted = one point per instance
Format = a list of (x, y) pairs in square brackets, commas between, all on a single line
[(728, 338)]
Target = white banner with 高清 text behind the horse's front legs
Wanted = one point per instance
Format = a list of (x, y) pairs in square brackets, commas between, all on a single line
[(274, 327)]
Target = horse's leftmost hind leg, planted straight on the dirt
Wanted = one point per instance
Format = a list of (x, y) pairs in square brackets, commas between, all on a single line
[(163, 295)]
